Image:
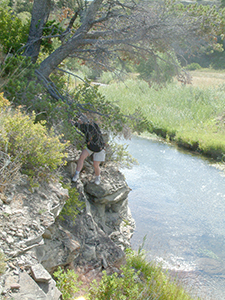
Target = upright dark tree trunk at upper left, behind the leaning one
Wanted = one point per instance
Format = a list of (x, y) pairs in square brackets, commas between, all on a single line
[(40, 13)]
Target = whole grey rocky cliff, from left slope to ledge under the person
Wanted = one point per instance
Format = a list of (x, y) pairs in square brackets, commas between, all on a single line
[(36, 242)]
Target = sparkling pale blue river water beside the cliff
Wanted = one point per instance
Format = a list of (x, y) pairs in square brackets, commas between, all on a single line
[(178, 203)]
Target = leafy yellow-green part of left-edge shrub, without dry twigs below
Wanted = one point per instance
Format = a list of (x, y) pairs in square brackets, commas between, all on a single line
[(38, 150)]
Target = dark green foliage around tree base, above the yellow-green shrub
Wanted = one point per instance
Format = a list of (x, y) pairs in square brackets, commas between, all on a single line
[(21, 87)]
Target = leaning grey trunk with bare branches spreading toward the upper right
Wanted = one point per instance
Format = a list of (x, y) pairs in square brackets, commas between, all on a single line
[(149, 26)]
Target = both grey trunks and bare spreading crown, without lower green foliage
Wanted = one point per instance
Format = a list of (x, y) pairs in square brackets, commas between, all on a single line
[(124, 30)]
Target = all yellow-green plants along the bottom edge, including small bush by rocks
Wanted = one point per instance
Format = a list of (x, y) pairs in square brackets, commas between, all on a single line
[(137, 279)]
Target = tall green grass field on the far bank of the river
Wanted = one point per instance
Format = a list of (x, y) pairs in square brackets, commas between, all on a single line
[(188, 115)]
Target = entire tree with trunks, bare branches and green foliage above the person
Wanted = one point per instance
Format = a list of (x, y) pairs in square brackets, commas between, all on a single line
[(101, 32)]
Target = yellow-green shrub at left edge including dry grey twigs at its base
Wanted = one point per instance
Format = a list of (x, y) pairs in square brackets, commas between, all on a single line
[(26, 146)]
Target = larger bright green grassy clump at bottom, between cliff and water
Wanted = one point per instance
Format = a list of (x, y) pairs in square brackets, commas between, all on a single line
[(139, 280)]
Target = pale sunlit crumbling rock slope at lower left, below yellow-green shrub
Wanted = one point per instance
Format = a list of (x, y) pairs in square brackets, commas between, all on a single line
[(24, 218)]
